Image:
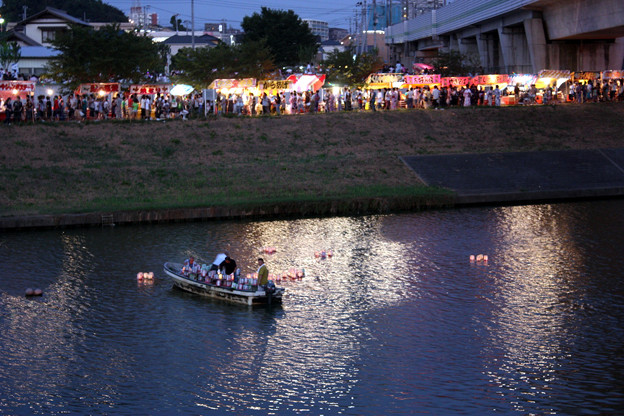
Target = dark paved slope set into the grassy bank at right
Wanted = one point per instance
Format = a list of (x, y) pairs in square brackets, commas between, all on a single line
[(522, 177)]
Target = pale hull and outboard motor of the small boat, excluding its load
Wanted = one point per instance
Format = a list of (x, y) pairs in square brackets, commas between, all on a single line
[(255, 296)]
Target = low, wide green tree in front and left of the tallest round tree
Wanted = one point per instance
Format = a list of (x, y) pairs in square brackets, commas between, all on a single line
[(200, 66)]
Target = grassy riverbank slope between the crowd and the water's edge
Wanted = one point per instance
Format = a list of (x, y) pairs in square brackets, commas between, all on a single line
[(118, 165)]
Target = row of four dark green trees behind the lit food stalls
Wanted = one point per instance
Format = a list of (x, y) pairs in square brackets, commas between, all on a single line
[(273, 39)]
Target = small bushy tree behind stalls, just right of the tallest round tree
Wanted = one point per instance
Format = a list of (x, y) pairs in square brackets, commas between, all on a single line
[(348, 68)]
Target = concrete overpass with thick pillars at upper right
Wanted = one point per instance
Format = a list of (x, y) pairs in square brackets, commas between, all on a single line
[(579, 35)]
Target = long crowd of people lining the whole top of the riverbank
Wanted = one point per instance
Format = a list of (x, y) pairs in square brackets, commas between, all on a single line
[(147, 107)]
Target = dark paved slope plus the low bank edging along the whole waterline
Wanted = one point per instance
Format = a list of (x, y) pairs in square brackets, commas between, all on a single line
[(486, 178)]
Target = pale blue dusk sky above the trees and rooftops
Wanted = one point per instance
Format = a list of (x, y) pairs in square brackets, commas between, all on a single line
[(336, 12)]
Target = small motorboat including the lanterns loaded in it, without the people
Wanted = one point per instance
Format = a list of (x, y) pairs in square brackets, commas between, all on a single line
[(238, 290)]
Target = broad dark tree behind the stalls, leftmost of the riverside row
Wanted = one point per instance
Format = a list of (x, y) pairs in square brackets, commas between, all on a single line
[(105, 55)]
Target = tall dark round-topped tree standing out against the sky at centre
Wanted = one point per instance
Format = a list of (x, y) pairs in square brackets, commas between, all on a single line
[(285, 34)]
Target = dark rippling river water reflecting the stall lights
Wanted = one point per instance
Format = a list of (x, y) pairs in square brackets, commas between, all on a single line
[(398, 321)]
